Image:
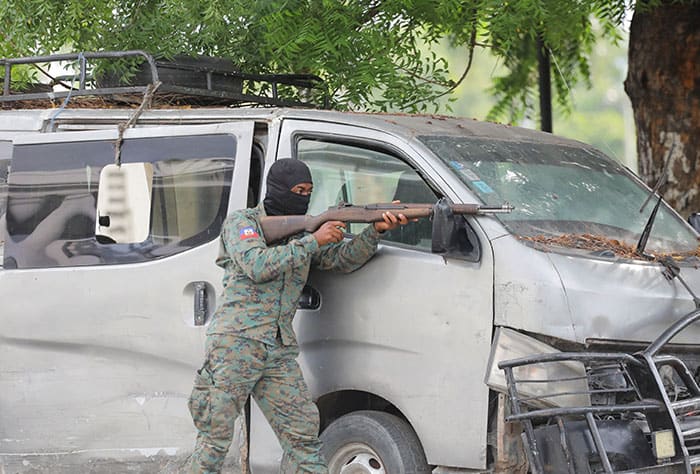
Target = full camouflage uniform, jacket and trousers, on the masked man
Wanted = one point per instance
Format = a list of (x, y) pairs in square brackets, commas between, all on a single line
[(251, 346)]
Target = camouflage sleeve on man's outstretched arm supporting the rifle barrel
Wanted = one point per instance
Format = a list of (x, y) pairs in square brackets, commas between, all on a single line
[(349, 255)]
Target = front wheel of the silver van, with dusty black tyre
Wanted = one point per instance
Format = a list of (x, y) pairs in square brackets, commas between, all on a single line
[(373, 442)]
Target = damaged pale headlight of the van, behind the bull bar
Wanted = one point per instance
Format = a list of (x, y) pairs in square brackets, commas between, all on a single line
[(560, 383)]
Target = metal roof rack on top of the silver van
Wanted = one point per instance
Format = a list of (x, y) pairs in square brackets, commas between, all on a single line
[(184, 80)]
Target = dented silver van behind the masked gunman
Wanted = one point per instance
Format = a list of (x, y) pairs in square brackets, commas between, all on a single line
[(108, 281)]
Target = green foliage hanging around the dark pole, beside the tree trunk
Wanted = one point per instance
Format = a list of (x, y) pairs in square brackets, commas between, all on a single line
[(566, 32)]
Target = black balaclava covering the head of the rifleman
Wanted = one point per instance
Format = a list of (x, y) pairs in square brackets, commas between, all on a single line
[(282, 177)]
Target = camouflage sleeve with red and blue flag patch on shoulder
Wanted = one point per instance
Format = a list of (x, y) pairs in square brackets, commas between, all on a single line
[(245, 246)]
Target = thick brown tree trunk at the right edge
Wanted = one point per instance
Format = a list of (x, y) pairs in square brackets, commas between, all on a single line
[(663, 83)]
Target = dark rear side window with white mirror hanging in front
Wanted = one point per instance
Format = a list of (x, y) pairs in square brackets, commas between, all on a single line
[(69, 204)]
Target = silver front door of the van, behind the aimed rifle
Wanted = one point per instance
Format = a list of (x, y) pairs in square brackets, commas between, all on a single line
[(410, 332)]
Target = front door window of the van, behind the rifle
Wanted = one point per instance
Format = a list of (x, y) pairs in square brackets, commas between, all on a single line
[(357, 175)]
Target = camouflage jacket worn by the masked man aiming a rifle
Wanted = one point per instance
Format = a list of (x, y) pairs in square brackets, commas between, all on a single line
[(262, 284)]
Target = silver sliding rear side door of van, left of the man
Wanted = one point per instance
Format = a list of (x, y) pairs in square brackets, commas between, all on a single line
[(106, 297)]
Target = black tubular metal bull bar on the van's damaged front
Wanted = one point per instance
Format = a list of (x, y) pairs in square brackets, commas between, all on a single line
[(576, 423)]
